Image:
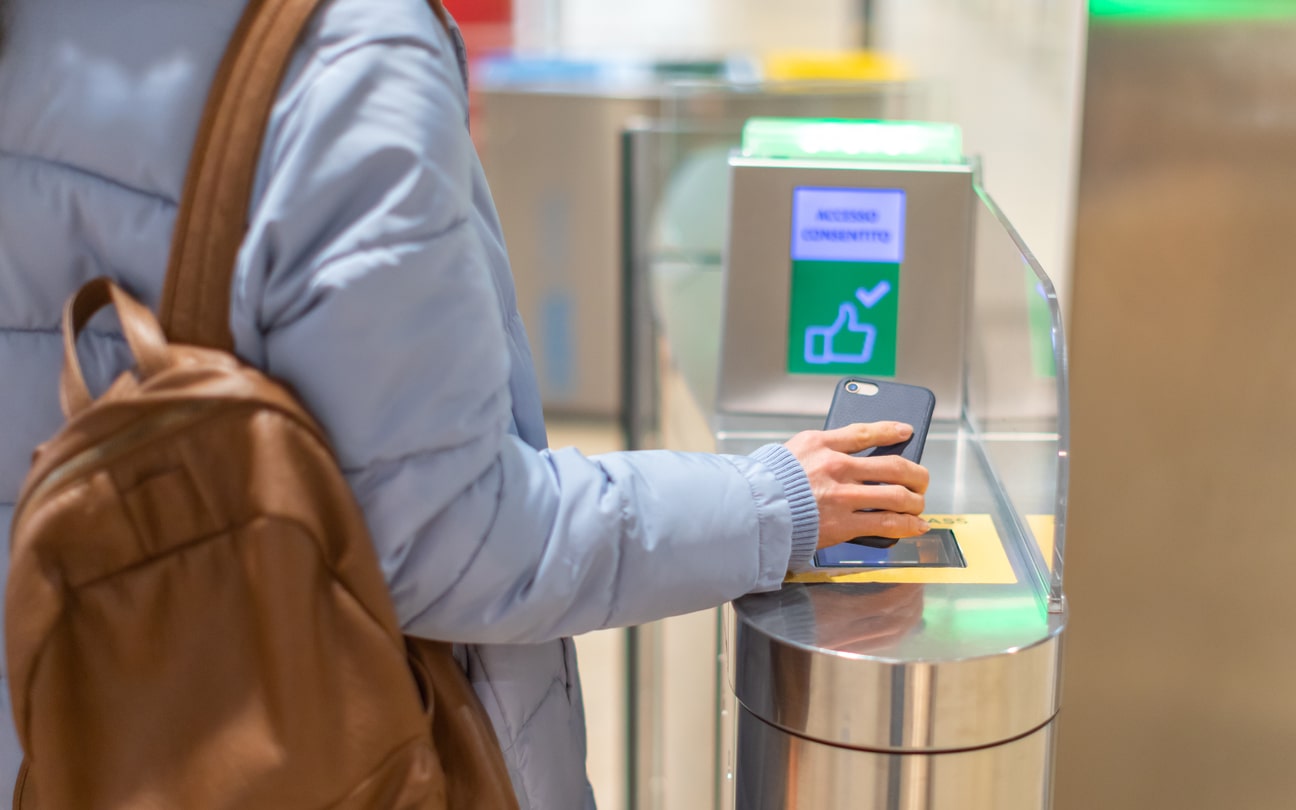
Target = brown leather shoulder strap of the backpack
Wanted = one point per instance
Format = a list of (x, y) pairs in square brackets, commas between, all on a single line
[(213, 217)]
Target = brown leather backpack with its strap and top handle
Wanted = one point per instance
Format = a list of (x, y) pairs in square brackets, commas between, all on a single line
[(195, 615)]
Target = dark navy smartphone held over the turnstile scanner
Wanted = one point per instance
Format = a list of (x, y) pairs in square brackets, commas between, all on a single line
[(859, 400)]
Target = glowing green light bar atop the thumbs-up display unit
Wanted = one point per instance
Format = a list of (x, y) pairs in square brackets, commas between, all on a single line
[(897, 142)]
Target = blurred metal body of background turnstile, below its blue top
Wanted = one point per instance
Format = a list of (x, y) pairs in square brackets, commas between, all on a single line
[(554, 165)]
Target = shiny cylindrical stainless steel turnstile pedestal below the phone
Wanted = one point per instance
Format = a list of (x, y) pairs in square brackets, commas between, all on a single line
[(821, 725)]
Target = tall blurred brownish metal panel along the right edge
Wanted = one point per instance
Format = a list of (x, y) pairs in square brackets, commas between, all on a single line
[(1181, 659)]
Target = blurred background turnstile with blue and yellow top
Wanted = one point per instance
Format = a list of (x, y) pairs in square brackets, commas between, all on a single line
[(549, 135)]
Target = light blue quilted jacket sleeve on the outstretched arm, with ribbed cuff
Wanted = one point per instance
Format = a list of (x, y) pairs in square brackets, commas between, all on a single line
[(366, 283)]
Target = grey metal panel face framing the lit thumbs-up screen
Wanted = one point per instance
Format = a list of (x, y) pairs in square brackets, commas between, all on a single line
[(758, 283)]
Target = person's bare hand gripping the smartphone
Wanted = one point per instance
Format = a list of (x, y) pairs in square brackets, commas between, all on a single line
[(895, 487)]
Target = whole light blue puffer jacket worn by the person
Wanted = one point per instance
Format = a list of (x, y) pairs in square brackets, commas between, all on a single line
[(375, 282)]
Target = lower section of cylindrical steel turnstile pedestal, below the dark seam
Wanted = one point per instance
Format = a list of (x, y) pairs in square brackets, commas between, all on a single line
[(782, 772)]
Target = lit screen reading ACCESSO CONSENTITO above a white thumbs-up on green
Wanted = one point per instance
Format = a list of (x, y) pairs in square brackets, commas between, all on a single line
[(848, 246)]
